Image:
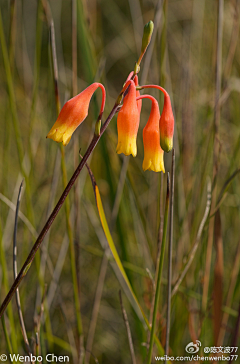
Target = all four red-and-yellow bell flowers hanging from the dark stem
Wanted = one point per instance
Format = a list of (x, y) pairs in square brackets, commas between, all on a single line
[(157, 134)]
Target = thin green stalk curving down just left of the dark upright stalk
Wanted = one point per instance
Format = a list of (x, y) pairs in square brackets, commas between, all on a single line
[(159, 274)]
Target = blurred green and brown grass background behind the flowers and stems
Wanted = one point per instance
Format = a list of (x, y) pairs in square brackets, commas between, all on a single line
[(181, 58)]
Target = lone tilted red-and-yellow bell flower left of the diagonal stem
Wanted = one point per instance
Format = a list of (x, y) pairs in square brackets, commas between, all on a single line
[(73, 113)]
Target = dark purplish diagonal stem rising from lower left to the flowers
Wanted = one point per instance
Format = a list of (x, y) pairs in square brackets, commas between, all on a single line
[(54, 213)]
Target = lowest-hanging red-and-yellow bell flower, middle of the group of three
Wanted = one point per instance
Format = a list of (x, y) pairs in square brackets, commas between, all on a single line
[(153, 153)]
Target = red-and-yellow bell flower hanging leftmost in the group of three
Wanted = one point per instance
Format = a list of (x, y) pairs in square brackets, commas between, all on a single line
[(128, 122)]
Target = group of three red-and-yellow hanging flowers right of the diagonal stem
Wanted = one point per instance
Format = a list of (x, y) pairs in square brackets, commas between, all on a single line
[(158, 132)]
